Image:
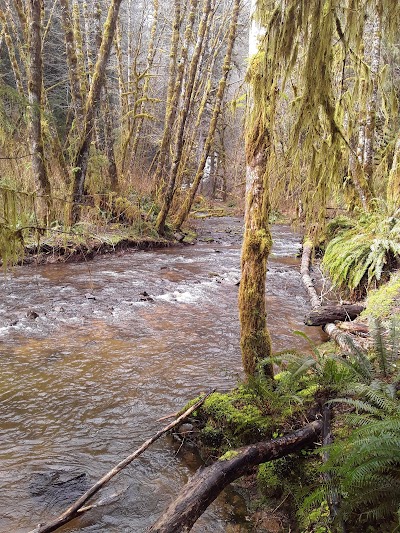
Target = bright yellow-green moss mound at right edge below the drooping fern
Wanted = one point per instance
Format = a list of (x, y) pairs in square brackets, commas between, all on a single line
[(385, 301)]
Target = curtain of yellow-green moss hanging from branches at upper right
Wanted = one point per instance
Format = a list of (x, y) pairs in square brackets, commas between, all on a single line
[(297, 73)]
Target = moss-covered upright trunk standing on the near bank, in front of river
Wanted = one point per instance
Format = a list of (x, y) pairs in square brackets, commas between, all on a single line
[(254, 336)]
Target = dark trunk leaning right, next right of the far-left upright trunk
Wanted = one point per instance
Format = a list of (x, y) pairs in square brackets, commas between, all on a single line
[(82, 156)]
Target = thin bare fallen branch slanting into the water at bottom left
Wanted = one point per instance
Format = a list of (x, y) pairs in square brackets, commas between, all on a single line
[(77, 508)]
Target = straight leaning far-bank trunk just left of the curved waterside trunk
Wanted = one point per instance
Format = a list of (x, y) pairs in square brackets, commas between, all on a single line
[(182, 117)]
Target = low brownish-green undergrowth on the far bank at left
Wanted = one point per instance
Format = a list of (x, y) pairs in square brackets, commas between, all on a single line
[(108, 222)]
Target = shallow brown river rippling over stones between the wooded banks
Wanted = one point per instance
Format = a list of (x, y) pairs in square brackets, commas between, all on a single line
[(83, 383)]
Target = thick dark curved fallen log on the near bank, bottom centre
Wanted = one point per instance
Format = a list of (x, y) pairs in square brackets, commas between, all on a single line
[(207, 483)]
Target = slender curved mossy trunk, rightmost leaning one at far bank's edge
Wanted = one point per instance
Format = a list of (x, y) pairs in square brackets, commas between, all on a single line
[(187, 204)]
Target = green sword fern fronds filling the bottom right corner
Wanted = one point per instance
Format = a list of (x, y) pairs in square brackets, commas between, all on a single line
[(364, 462)]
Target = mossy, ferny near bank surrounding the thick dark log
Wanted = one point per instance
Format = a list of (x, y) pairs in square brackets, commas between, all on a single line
[(360, 469)]
